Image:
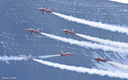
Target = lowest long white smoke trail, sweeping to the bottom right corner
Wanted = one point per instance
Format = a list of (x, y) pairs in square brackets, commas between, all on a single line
[(84, 70)]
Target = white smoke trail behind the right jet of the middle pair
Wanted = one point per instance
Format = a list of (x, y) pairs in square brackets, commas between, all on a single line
[(106, 42)]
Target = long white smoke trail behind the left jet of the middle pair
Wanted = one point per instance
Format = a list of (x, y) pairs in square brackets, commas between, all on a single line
[(86, 44)]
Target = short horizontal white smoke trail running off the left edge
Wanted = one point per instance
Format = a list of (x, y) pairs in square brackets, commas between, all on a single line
[(7, 58)]
